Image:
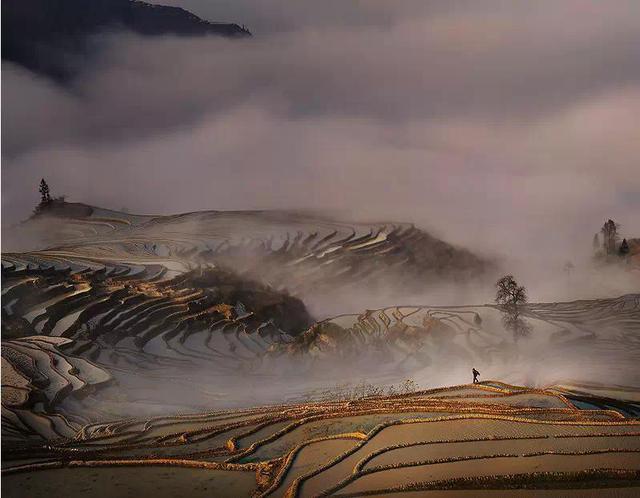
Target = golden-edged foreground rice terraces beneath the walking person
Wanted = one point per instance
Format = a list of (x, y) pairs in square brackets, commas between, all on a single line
[(368, 446)]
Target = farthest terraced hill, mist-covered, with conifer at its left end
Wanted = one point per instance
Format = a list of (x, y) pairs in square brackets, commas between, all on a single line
[(292, 250)]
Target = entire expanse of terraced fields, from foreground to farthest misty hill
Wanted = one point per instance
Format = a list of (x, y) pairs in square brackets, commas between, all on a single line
[(165, 353)]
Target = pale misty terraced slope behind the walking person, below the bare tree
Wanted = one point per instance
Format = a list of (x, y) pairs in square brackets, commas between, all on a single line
[(440, 339)]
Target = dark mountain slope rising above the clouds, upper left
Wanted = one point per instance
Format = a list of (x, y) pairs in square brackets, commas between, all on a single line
[(50, 36)]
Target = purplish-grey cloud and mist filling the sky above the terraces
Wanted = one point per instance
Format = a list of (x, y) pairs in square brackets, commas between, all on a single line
[(500, 125)]
